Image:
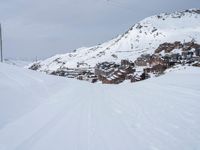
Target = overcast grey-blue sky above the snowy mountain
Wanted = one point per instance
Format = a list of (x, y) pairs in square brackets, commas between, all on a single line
[(42, 28)]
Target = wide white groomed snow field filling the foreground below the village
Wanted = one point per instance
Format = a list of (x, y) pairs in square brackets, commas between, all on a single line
[(41, 112)]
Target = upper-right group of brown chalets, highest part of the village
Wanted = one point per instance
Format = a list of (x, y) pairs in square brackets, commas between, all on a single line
[(168, 55)]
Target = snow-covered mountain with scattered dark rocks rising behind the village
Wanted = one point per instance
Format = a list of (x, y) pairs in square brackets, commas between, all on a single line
[(144, 37)]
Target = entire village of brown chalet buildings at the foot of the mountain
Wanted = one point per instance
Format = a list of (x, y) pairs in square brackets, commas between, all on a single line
[(166, 55)]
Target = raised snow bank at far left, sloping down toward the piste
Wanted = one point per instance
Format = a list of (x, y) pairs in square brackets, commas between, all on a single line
[(21, 90)]
